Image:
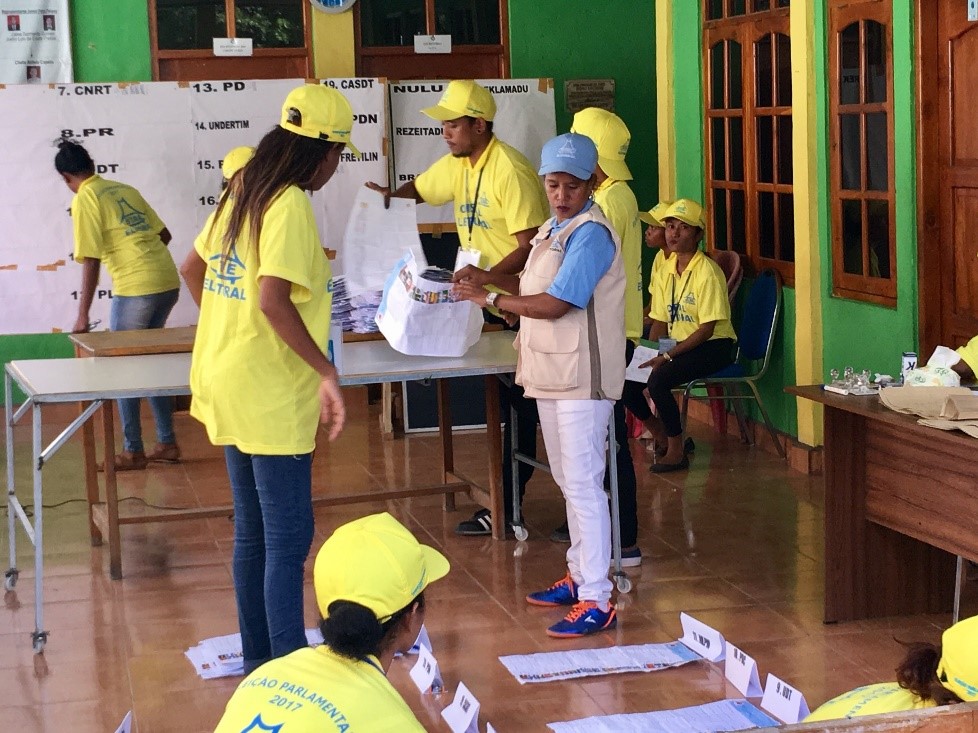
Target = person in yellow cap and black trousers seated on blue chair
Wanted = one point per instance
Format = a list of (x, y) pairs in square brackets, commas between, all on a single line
[(690, 306)]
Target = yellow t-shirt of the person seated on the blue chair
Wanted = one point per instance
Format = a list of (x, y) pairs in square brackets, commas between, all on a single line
[(698, 296)]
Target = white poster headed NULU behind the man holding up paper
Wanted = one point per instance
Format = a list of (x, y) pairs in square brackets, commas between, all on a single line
[(525, 118)]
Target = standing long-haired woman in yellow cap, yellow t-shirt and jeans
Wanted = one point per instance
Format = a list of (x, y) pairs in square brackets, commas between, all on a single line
[(263, 284)]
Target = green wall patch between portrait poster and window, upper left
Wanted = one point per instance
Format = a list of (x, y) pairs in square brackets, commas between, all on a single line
[(110, 40)]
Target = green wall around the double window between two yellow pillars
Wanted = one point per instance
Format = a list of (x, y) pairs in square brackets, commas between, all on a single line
[(691, 182)]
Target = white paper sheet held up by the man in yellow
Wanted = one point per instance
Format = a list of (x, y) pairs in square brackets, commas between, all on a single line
[(375, 240)]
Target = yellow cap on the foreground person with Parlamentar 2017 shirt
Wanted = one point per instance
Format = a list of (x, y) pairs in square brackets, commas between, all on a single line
[(376, 562)]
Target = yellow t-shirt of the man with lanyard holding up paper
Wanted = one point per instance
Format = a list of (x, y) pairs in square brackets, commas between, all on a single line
[(510, 198)]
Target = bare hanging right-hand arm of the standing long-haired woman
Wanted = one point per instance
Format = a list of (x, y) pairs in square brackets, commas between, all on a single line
[(278, 308)]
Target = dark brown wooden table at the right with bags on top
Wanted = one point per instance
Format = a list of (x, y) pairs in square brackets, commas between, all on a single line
[(901, 500)]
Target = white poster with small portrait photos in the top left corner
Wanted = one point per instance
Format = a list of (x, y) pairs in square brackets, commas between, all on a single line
[(35, 42)]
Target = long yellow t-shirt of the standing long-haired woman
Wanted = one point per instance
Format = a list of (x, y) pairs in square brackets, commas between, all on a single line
[(249, 389)]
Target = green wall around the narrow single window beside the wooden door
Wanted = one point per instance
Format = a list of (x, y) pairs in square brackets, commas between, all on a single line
[(858, 334)]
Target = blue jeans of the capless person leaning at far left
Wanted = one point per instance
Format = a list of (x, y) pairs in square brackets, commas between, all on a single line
[(131, 312)]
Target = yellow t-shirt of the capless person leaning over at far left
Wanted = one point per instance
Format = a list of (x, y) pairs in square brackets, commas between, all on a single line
[(113, 223)]
